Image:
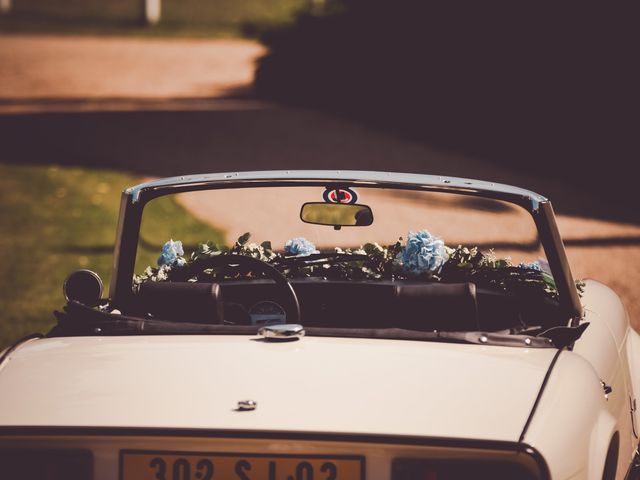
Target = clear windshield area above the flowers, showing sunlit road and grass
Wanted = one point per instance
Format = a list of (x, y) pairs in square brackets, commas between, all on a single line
[(501, 231)]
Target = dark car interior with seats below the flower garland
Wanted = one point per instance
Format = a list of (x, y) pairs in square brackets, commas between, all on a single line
[(347, 304)]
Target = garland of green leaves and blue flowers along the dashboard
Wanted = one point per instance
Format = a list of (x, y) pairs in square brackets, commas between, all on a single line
[(423, 256)]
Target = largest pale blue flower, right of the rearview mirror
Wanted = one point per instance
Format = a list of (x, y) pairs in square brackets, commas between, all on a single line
[(424, 253)]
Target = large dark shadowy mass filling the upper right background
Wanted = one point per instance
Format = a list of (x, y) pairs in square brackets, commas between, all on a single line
[(544, 91)]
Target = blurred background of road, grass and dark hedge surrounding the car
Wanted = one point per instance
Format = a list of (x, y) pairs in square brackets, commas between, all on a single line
[(96, 95)]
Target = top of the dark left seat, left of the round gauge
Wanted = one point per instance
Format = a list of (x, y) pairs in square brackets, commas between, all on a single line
[(182, 301)]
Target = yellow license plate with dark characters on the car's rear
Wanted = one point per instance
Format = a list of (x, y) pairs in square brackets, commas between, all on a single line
[(145, 465)]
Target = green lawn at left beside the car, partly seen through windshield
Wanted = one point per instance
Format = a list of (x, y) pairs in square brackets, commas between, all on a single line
[(55, 220)]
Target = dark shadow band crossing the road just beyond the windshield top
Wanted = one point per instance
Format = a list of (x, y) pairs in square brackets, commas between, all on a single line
[(207, 135)]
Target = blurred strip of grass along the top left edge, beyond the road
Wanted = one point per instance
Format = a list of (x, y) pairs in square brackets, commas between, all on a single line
[(198, 18)]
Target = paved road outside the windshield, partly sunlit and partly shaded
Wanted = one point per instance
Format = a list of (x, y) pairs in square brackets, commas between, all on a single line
[(161, 107)]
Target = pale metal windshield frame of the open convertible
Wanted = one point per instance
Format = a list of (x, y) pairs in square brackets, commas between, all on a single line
[(134, 199)]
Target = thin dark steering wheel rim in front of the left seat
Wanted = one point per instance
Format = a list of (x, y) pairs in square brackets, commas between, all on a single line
[(292, 306)]
